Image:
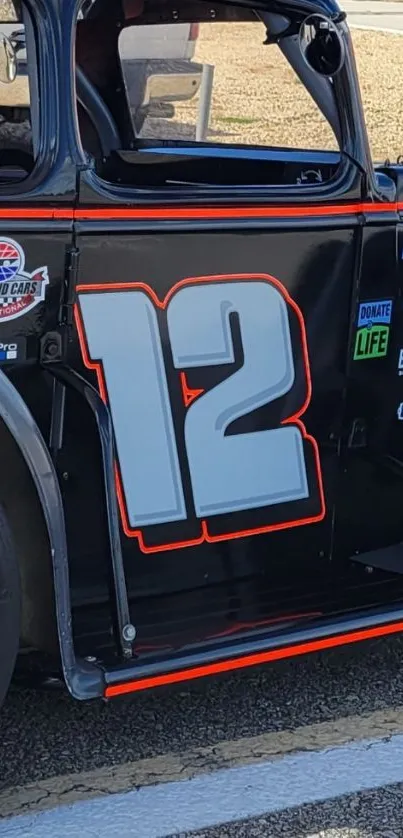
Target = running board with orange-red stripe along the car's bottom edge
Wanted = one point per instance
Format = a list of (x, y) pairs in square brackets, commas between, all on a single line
[(240, 653)]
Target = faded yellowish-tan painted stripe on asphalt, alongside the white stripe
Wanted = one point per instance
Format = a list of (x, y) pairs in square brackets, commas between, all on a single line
[(170, 767)]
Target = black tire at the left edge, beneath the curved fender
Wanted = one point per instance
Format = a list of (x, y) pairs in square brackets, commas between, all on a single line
[(9, 606)]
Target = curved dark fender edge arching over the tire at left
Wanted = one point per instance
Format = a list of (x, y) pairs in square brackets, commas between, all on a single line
[(17, 422)]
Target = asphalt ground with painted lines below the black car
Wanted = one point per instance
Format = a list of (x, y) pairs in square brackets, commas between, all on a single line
[(297, 749)]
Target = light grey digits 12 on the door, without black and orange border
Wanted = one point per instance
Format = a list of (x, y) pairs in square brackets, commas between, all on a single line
[(229, 472)]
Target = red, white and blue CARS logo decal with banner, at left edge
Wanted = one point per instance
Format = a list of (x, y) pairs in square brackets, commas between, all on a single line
[(20, 291)]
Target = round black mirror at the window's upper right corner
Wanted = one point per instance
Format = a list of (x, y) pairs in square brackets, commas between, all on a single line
[(321, 45)]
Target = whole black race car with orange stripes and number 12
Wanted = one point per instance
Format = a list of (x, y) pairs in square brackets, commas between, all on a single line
[(201, 399)]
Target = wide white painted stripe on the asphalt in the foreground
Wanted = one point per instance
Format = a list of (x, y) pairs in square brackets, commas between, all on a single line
[(223, 796)]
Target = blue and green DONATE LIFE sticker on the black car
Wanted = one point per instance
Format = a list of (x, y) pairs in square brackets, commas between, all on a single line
[(373, 326)]
